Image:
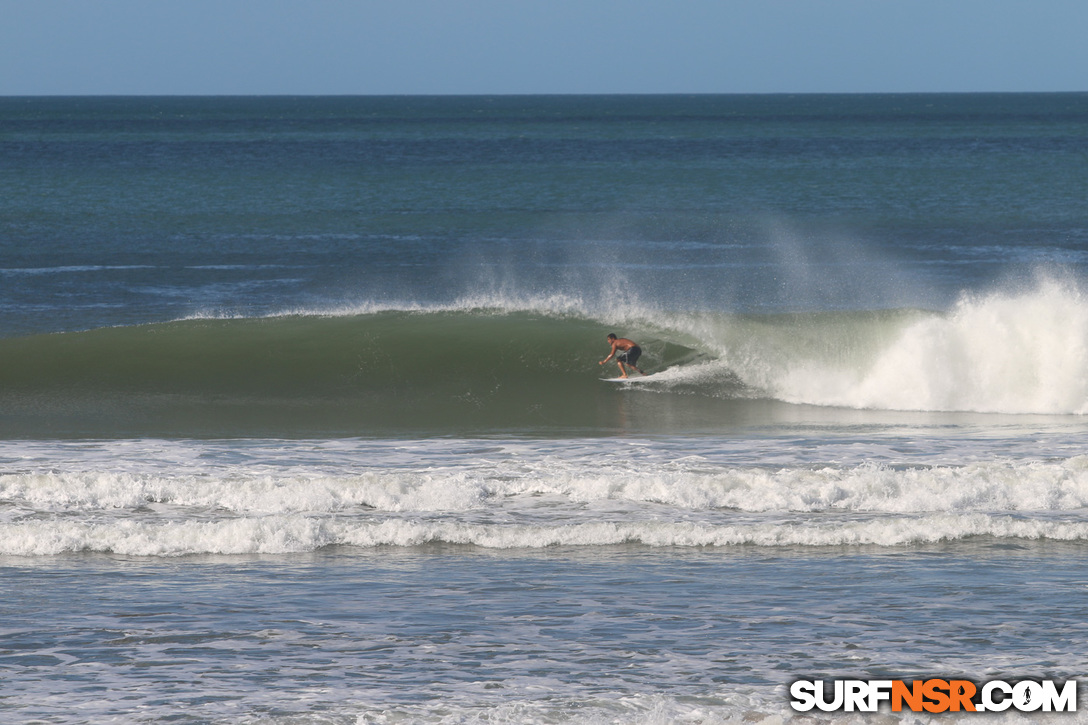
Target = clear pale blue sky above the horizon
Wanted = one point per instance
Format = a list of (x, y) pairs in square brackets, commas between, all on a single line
[(372, 47)]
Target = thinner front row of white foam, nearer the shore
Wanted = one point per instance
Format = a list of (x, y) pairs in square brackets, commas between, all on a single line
[(283, 534)]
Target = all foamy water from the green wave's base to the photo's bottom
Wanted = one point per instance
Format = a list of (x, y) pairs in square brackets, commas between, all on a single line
[(498, 573)]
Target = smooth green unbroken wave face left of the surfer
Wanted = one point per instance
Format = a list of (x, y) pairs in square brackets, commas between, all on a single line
[(367, 375)]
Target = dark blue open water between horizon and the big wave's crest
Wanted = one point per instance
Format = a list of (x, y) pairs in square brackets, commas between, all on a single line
[(122, 211)]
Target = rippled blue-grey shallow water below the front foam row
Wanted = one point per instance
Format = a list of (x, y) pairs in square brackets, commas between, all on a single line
[(453, 634)]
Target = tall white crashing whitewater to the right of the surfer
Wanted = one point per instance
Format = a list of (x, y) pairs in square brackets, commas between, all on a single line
[(1013, 353)]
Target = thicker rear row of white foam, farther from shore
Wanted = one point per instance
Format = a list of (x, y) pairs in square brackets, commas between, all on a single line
[(690, 484)]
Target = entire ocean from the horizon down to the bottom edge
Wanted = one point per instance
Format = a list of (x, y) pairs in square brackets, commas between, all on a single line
[(302, 419)]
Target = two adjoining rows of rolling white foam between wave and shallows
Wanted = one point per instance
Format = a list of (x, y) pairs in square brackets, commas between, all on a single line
[(534, 501)]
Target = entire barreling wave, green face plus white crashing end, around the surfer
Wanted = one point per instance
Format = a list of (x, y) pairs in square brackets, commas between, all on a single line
[(472, 370)]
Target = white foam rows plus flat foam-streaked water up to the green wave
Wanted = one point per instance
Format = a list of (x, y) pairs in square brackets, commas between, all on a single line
[(176, 498)]
